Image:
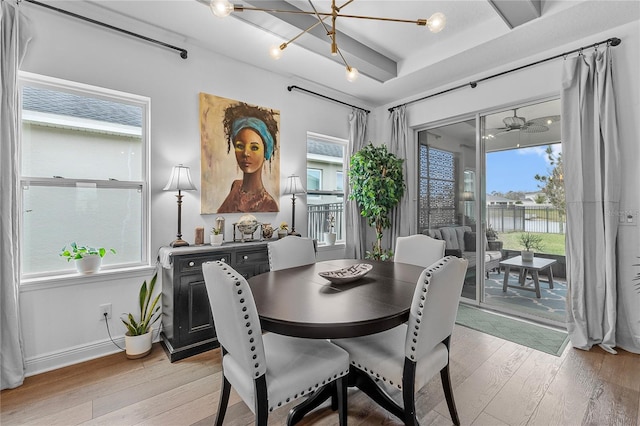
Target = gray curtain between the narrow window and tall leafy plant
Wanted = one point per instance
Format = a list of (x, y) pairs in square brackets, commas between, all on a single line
[(355, 225)]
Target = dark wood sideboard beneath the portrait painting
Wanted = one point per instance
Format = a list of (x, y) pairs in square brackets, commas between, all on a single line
[(187, 323)]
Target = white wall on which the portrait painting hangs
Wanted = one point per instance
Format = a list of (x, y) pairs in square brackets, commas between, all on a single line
[(60, 318)]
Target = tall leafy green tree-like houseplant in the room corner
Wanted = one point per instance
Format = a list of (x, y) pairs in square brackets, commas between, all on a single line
[(377, 185)]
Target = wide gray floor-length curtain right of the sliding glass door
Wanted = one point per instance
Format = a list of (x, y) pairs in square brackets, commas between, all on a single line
[(592, 182)]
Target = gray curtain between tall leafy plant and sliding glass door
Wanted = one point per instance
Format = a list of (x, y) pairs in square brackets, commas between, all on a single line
[(400, 226)]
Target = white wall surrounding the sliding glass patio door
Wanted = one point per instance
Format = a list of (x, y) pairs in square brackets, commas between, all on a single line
[(540, 82)]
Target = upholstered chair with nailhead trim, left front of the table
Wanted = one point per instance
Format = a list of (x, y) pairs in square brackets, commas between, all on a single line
[(271, 370)]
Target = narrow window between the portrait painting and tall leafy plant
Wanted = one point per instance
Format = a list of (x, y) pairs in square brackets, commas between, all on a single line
[(325, 184)]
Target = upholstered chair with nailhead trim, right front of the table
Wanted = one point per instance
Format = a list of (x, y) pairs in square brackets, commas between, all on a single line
[(408, 356)]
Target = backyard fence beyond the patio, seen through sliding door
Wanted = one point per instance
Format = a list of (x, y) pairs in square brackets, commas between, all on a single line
[(509, 218)]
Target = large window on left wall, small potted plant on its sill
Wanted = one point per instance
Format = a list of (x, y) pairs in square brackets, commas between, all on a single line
[(83, 174)]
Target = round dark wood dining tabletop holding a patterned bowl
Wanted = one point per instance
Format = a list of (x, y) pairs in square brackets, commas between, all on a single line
[(298, 302)]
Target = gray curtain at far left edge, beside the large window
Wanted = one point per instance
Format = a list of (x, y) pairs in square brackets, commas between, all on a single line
[(13, 44)]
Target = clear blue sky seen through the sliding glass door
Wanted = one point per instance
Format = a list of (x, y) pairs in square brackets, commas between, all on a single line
[(514, 170)]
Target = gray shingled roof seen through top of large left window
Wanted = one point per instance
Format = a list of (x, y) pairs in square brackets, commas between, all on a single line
[(61, 103)]
